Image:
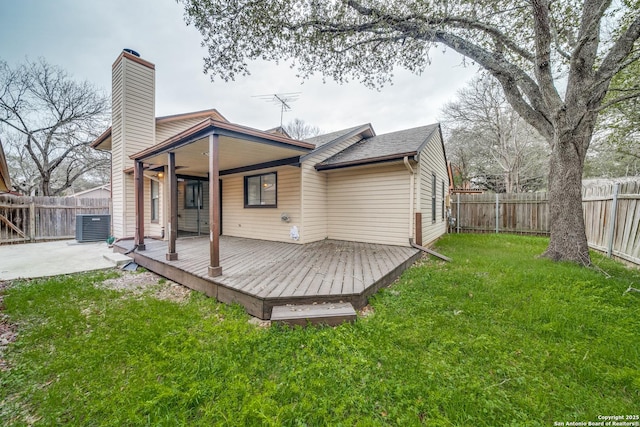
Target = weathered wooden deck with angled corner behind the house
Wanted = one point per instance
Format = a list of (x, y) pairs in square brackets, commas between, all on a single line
[(260, 275)]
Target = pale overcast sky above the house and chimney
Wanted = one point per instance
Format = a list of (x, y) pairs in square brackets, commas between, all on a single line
[(85, 37)]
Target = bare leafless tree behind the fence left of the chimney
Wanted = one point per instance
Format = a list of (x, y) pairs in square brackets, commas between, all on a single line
[(49, 120)]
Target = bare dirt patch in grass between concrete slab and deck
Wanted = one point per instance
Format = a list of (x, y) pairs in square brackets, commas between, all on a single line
[(148, 283)]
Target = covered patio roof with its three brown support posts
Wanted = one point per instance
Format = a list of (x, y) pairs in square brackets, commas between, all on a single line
[(209, 149)]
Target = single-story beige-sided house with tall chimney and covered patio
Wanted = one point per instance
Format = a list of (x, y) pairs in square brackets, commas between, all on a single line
[(198, 174)]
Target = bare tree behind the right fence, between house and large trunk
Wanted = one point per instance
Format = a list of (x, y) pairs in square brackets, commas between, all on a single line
[(499, 151)]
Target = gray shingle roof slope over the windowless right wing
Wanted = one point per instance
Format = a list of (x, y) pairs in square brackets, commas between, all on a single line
[(404, 142)]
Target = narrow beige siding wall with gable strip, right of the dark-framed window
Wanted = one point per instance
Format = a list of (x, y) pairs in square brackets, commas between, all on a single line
[(314, 193)]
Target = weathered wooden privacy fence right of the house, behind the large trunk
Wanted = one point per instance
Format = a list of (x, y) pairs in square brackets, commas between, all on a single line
[(611, 214)]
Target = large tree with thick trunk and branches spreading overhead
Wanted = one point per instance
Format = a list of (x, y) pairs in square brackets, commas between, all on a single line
[(553, 59)]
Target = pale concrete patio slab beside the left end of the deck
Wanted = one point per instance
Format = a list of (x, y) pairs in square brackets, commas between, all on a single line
[(31, 260)]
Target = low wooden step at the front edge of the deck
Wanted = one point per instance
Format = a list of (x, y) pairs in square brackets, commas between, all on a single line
[(331, 314)]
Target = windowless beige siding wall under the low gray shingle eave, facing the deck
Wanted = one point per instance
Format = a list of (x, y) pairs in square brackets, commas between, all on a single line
[(369, 204)]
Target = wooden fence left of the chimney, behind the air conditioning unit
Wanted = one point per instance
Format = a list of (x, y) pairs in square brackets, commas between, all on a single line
[(29, 219)]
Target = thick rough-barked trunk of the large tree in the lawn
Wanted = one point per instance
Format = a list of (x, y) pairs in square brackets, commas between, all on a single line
[(568, 237)]
